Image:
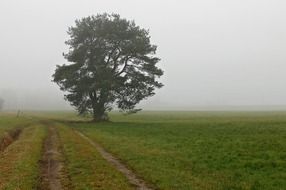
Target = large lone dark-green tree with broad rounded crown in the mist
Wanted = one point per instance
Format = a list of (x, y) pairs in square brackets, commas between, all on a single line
[(112, 63)]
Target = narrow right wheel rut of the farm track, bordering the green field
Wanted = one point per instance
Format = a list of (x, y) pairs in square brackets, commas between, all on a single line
[(130, 175)]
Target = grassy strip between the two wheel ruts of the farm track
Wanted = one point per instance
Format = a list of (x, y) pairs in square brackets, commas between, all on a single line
[(86, 167)]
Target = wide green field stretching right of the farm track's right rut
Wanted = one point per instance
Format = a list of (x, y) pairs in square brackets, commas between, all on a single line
[(199, 150)]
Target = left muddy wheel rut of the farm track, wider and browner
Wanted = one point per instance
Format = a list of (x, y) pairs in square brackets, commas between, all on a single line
[(52, 164)]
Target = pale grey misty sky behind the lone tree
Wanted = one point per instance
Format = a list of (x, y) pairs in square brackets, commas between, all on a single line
[(214, 52)]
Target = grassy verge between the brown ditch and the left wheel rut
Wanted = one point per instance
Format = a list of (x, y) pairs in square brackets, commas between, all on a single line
[(19, 162)]
